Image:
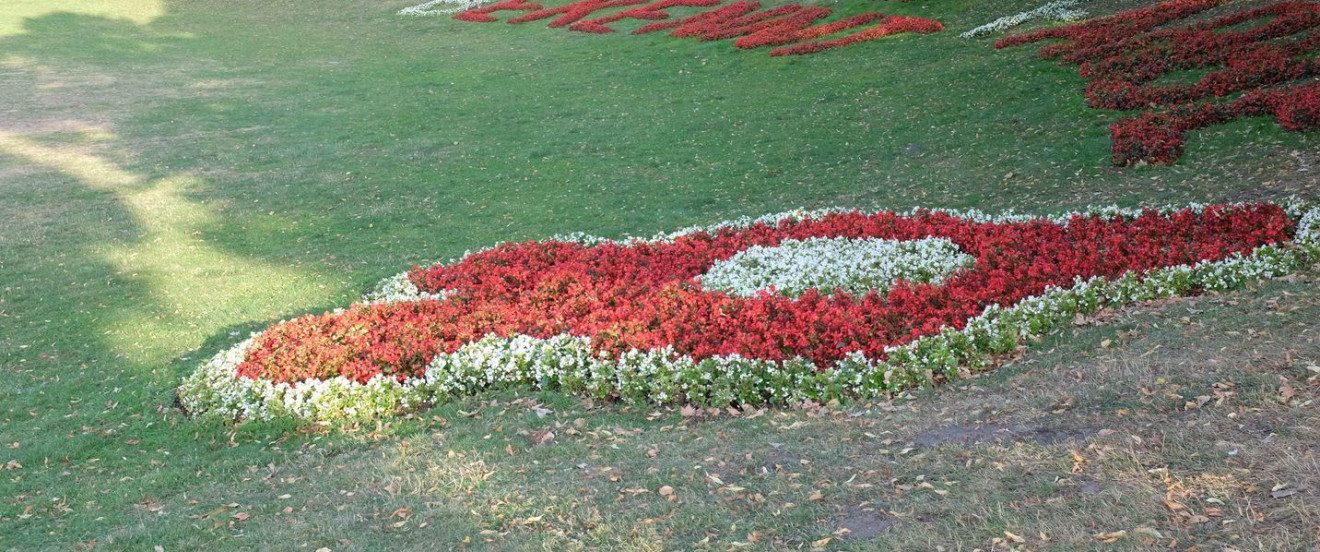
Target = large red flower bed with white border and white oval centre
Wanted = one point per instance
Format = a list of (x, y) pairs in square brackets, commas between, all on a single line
[(633, 320)]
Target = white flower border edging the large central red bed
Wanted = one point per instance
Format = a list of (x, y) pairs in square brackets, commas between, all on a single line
[(665, 377)]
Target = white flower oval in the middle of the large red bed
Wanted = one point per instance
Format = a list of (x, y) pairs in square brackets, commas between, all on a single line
[(855, 266)]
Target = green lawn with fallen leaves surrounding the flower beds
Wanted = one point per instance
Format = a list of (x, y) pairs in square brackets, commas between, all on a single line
[(180, 174)]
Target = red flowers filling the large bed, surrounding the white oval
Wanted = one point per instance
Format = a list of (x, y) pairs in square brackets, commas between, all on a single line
[(643, 295)]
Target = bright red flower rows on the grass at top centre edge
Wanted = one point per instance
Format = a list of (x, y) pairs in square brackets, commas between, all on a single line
[(789, 24)]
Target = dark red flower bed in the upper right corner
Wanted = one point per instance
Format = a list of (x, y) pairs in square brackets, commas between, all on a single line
[(1272, 65)]
